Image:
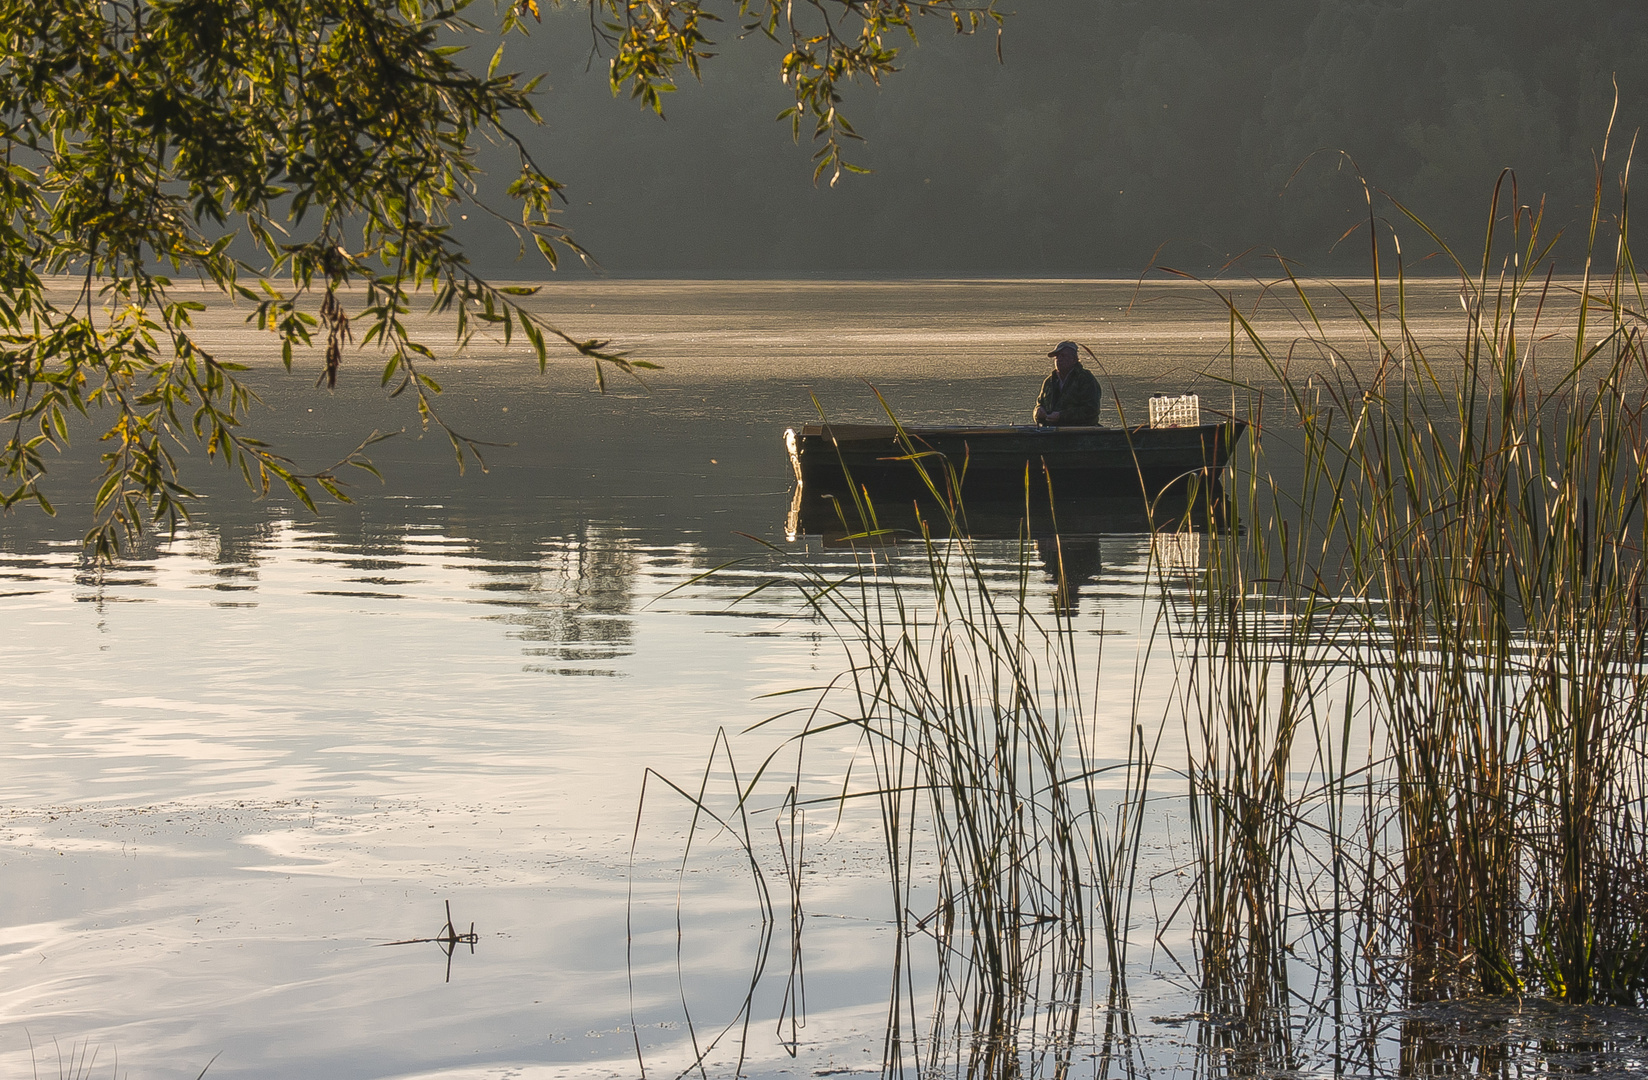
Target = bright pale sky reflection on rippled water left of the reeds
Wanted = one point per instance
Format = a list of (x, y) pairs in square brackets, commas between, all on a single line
[(322, 731)]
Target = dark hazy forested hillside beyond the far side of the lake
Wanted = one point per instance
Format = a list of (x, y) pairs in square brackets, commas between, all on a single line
[(1115, 133)]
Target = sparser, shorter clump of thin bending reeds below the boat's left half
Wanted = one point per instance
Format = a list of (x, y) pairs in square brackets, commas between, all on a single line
[(970, 710)]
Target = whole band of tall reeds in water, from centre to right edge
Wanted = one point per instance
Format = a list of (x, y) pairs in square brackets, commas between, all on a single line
[(1410, 672)]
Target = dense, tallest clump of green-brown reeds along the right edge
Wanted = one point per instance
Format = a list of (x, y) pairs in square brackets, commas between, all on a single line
[(1479, 522)]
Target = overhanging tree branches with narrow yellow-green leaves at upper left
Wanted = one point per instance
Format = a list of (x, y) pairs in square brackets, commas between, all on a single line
[(309, 159)]
